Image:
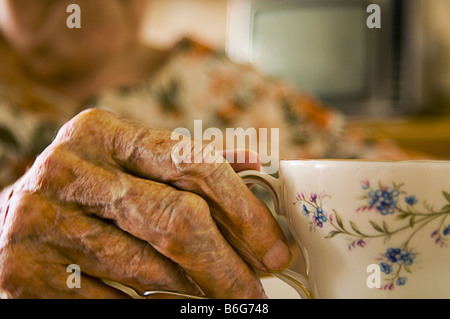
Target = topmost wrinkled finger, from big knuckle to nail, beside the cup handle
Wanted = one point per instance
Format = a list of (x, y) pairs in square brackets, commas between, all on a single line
[(149, 154)]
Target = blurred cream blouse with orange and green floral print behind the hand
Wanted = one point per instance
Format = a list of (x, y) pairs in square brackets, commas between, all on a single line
[(195, 83)]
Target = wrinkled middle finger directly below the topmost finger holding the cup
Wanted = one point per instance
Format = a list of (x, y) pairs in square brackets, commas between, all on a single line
[(178, 224)]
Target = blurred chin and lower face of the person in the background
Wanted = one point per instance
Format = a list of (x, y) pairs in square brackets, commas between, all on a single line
[(37, 31)]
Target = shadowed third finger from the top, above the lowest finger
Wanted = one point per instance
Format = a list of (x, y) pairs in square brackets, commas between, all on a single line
[(100, 250)]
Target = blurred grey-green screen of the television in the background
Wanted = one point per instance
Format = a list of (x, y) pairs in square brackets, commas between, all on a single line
[(322, 49)]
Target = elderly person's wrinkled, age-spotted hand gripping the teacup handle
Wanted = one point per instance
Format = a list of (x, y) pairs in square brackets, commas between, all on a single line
[(107, 195)]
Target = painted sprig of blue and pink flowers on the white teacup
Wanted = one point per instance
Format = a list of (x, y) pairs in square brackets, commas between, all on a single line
[(410, 216)]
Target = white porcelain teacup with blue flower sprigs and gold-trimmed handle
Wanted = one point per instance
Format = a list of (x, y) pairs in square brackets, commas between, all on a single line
[(367, 229)]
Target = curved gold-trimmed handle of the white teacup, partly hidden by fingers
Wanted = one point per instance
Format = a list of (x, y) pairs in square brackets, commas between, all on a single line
[(295, 280)]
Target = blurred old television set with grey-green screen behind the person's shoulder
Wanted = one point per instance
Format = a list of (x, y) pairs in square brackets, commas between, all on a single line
[(326, 47)]
